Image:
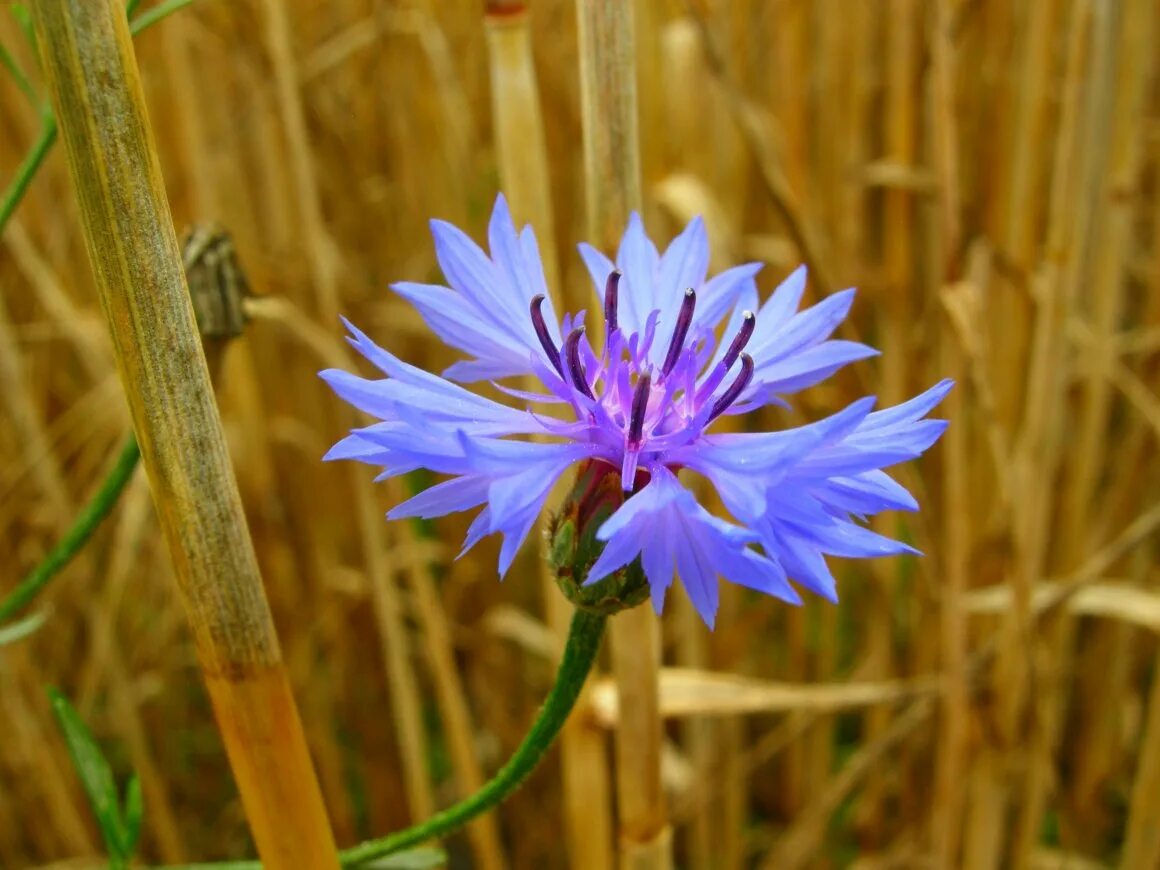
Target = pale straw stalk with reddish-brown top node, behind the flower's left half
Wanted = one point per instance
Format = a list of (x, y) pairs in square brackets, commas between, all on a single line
[(525, 177)]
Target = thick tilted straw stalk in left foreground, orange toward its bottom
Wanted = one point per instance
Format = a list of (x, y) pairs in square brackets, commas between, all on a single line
[(97, 91)]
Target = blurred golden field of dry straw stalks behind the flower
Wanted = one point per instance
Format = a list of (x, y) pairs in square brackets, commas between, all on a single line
[(984, 171)]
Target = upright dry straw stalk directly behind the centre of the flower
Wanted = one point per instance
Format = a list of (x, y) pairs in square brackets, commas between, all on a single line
[(612, 159)]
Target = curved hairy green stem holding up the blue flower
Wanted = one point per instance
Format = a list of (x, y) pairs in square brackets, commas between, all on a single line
[(579, 655)]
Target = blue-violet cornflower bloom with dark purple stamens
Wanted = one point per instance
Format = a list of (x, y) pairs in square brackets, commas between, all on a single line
[(640, 404)]
